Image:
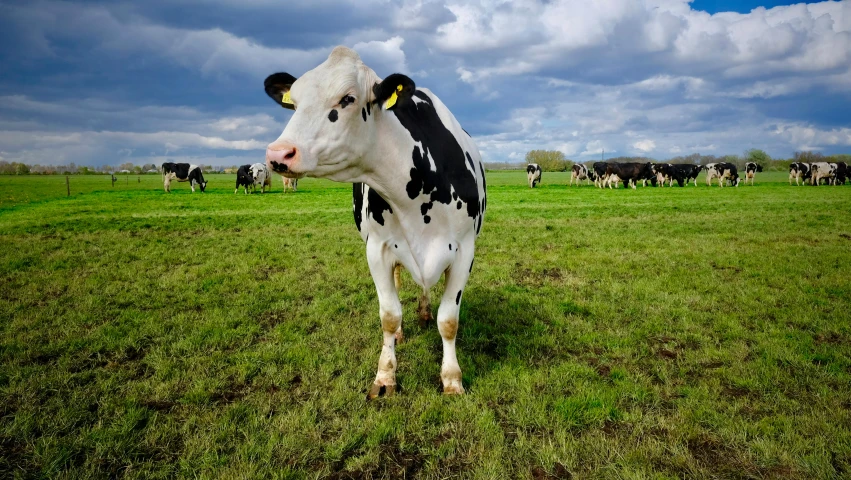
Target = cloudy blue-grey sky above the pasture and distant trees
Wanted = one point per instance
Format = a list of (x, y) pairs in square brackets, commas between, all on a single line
[(107, 82)]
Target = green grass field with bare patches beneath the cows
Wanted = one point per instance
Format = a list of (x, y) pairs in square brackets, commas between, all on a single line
[(657, 333)]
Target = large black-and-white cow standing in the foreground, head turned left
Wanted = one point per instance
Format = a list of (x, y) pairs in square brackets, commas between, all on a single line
[(426, 196)]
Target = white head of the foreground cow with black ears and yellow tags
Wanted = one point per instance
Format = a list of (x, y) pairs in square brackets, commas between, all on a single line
[(334, 121)]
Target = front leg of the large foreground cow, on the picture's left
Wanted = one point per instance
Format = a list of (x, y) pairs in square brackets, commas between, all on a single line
[(381, 266)]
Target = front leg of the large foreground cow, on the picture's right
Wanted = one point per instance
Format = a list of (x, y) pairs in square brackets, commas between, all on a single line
[(447, 318)]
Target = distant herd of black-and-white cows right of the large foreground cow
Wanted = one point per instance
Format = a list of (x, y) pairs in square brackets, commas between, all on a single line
[(604, 174)]
